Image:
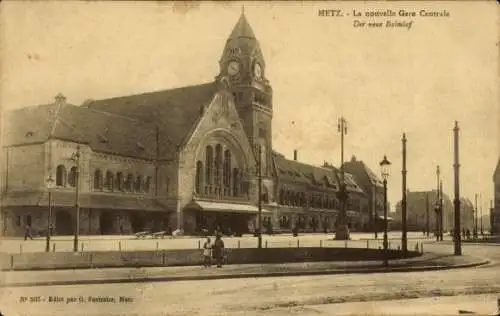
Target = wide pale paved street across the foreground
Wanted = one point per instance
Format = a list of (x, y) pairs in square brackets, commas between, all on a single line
[(311, 295)]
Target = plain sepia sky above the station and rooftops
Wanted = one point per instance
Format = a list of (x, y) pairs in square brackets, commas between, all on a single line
[(383, 81)]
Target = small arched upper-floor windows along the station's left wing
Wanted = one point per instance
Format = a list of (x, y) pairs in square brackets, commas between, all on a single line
[(109, 181)]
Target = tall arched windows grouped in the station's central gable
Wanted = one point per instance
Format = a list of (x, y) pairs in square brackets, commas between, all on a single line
[(217, 176)]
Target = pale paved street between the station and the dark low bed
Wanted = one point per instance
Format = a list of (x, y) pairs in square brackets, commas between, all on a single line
[(130, 243)]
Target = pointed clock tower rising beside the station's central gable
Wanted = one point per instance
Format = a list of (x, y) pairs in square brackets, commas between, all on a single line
[(243, 67)]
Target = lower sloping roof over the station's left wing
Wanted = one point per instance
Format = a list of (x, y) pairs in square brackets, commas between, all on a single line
[(103, 132)]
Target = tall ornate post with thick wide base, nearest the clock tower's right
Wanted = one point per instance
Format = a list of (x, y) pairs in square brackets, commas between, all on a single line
[(342, 231)]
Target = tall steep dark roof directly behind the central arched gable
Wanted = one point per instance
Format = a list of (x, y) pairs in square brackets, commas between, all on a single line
[(174, 112)]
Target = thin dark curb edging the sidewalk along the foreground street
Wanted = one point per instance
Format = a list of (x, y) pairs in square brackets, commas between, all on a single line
[(246, 275)]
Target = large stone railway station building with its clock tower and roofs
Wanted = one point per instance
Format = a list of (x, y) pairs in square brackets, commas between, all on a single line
[(159, 160)]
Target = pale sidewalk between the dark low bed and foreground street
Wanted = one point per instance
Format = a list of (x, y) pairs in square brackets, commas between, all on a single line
[(426, 262)]
